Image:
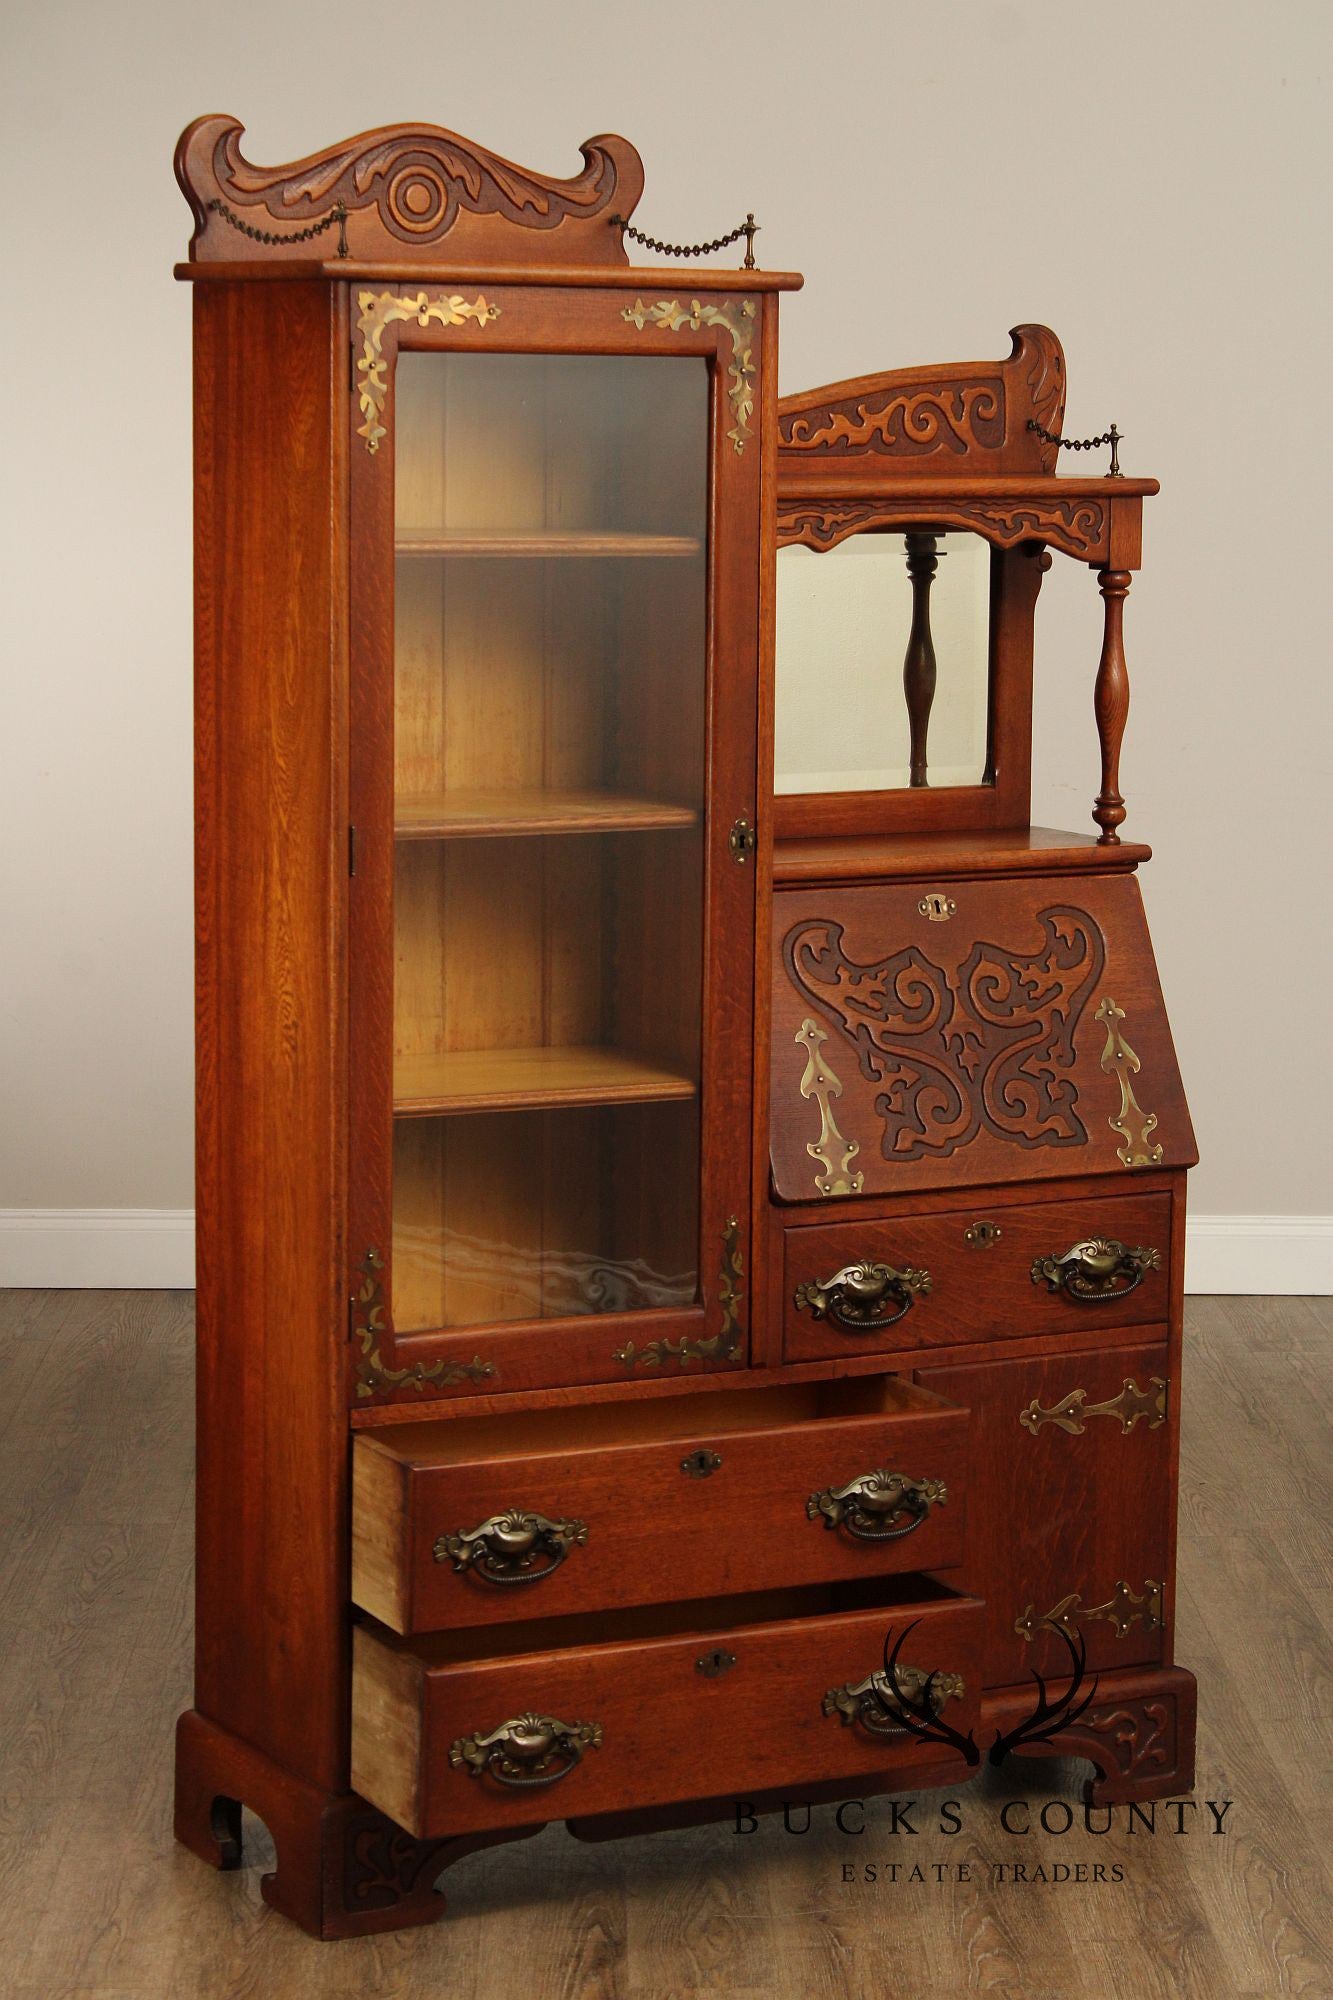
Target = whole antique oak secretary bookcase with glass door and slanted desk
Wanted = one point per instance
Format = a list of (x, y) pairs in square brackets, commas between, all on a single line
[(690, 1183)]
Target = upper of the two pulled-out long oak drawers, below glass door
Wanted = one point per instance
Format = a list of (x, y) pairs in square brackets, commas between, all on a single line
[(489, 1521)]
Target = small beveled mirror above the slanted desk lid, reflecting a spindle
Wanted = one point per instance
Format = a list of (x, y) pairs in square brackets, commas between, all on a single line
[(844, 629)]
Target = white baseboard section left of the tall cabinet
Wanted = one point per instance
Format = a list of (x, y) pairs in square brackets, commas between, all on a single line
[(97, 1249)]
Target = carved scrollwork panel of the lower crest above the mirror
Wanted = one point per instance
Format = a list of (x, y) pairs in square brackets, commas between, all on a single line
[(908, 423)]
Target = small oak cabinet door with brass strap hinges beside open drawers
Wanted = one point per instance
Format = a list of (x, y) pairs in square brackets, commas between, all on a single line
[(1072, 1519)]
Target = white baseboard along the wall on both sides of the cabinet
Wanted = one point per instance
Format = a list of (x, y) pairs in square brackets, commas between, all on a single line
[(153, 1249)]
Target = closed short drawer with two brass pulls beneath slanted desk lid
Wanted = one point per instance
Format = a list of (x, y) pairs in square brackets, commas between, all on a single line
[(976, 1275)]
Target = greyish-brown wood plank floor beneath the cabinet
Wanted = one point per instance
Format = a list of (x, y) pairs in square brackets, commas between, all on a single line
[(95, 1609)]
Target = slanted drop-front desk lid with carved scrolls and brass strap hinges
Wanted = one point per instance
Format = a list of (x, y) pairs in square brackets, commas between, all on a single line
[(972, 1033)]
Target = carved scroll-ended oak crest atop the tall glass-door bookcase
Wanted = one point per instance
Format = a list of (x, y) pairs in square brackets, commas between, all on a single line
[(403, 189)]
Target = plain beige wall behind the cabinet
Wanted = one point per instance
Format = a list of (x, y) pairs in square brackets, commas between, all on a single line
[(1142, 177)]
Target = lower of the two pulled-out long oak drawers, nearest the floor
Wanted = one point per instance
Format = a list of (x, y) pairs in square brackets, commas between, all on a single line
[(451, 1739)]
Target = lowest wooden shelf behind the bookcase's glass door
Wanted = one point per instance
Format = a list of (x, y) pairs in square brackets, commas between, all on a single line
[(529, 1079)]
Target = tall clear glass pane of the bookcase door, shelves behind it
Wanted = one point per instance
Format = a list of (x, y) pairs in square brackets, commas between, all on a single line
[(549, 769)]
